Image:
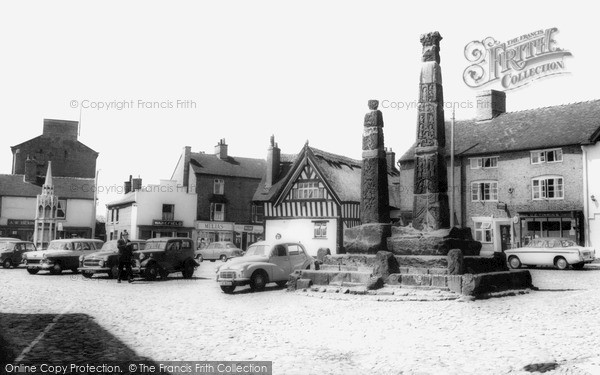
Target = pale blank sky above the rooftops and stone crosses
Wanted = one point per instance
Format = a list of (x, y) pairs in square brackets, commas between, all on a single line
[(243, 71)]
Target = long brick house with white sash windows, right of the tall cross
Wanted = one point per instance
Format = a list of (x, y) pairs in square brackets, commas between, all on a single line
[(517, 175)]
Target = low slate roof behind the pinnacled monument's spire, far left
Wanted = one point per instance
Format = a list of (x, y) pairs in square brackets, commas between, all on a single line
[(64, 187)]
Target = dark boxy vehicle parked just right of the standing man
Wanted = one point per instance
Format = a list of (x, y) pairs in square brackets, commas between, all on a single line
[(165, 255)]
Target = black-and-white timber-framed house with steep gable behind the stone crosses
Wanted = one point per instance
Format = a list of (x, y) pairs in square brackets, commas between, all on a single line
[(311, 197)]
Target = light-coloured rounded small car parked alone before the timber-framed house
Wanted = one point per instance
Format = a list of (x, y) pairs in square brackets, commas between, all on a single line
[(264, 262)]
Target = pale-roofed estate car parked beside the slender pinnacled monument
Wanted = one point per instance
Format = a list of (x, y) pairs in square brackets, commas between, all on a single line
[(61, 255)]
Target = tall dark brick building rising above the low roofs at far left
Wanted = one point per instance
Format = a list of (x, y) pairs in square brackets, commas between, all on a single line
[(58, 143)]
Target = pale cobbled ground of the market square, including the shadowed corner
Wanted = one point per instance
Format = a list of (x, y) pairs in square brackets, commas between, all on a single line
[(193, 320)]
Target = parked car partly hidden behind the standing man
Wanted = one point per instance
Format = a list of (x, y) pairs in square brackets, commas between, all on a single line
[(106, 260)]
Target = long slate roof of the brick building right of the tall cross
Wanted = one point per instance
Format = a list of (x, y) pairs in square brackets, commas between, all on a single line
[(540, 128)]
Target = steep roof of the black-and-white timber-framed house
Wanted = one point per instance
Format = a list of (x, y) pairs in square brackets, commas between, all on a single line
[(343, 175)]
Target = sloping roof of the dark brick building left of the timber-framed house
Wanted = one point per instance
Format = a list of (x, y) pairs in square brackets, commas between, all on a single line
[(233, 166)]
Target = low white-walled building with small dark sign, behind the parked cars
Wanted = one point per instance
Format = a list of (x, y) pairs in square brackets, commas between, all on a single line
[(151, 211)]
